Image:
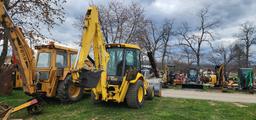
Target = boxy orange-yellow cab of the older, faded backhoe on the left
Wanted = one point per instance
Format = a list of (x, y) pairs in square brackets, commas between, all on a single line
[(54, 58)]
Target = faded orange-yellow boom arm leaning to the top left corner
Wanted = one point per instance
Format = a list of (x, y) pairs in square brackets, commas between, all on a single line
[(21, 49)]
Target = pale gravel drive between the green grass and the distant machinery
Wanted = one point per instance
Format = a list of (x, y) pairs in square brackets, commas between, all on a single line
[(204, 95)]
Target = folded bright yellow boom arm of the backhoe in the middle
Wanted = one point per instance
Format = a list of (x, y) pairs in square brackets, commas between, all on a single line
[(92, 37)]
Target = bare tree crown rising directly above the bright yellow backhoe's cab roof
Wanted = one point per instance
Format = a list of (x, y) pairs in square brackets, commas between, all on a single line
[(120, 22)]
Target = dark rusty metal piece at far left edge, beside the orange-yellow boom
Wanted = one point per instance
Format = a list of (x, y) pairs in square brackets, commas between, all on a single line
[(6, 82)]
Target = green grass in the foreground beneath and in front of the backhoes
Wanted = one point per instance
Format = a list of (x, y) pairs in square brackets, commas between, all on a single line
[(159, 108)]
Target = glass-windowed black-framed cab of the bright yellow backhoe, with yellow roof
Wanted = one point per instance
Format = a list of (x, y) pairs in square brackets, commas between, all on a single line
[(123, 59)]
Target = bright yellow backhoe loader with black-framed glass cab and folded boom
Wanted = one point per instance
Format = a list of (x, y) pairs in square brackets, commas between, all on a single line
[(117, 76)]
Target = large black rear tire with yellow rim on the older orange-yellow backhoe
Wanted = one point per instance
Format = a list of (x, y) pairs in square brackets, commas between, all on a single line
[(67, 91)]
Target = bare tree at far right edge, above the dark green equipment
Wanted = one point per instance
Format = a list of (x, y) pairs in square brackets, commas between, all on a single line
[(247, 36)]
